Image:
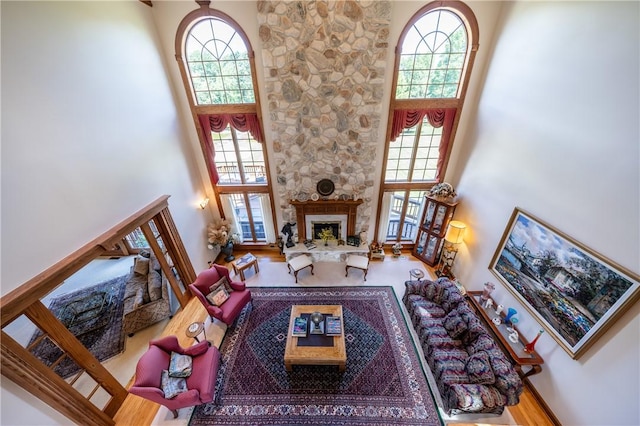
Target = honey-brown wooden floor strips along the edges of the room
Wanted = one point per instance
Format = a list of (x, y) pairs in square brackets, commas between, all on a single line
[(138, 411)]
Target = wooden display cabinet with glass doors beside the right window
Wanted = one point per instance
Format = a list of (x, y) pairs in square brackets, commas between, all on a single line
[(436, 216)]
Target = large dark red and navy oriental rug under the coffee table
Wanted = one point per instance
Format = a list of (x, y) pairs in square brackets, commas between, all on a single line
[(383, 384)]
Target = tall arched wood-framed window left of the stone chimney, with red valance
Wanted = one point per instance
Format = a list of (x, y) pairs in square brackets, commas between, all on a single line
[(218, 70)]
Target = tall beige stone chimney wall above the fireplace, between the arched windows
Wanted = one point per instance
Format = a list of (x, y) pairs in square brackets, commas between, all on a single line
[(324, 64)]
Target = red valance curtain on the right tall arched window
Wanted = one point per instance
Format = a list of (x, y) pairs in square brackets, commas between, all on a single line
[(406, 118)]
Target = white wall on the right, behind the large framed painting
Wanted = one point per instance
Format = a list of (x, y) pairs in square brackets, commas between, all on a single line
[(556, 134)]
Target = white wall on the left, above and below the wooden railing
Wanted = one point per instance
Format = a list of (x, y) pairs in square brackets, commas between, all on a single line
[(90, 134)]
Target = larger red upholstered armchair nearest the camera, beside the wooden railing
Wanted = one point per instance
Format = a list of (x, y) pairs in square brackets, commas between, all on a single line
[(200, 384)]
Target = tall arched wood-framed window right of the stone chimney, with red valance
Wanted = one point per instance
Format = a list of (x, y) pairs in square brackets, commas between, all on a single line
[(432, 69)]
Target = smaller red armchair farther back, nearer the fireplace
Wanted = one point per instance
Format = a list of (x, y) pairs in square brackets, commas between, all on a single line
[(230, 309)]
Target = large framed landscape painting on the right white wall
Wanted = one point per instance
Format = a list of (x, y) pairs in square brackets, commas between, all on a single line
[(575, 293)]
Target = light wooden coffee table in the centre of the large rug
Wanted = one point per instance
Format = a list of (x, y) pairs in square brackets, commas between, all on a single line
[(295, 354)]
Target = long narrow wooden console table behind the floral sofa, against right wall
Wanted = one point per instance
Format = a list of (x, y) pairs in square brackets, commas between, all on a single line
[(514, 350)]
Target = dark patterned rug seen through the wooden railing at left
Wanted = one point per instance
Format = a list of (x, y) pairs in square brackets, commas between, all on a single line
[(94, 315)]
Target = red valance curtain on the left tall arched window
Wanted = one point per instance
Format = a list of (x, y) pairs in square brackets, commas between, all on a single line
[(219, 122)]
